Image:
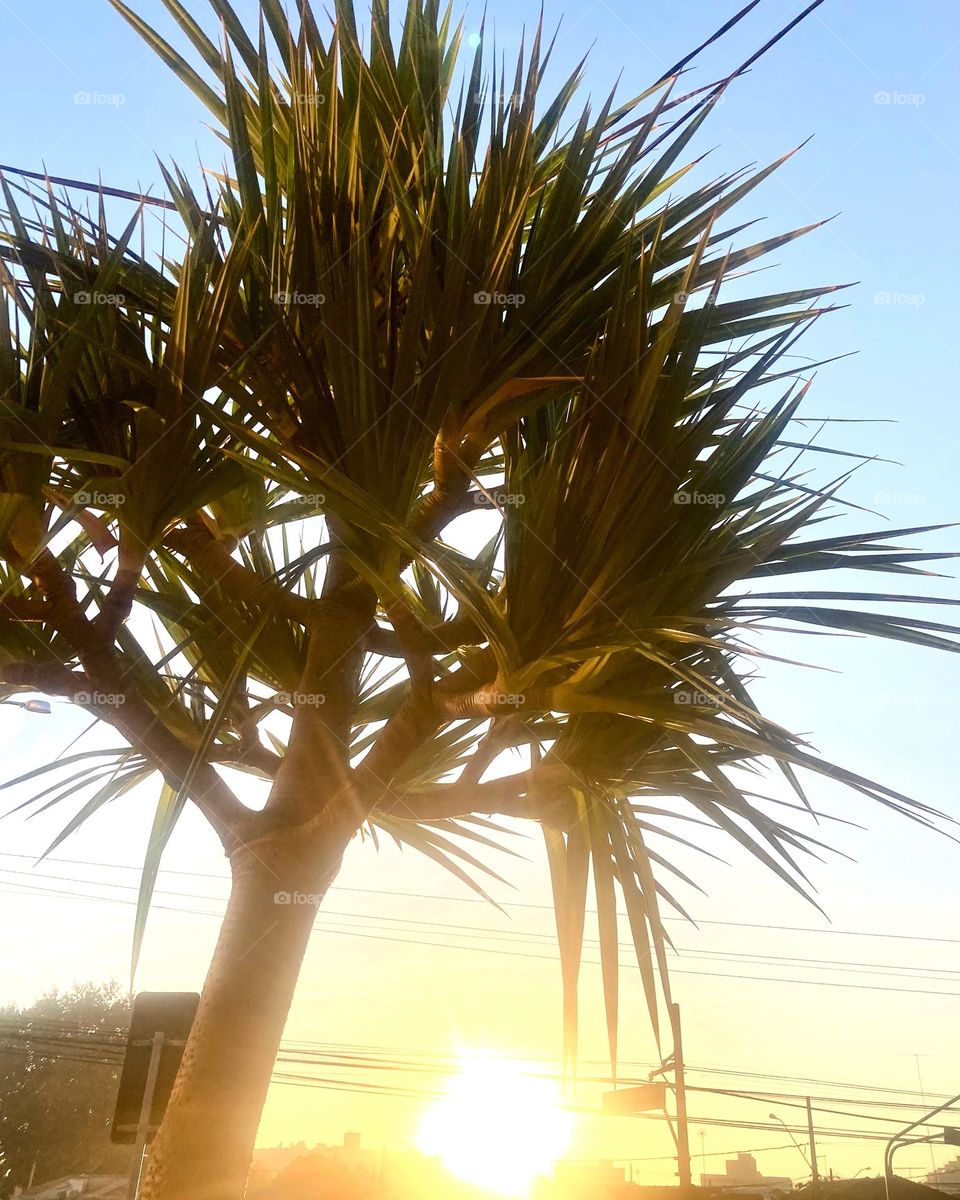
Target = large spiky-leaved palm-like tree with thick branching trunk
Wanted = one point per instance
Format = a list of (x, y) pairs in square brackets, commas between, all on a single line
[(233, 475)]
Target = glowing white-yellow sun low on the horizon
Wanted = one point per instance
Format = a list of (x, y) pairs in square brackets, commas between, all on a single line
[(497, 1126)]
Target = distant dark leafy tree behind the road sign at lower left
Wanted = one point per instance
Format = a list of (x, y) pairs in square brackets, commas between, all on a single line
[(59, 1066)]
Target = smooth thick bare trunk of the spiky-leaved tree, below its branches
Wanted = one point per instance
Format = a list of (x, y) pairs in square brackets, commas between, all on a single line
[(206, 1143)]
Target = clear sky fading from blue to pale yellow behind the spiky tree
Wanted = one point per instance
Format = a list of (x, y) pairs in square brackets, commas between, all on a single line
[(878, 88)]
